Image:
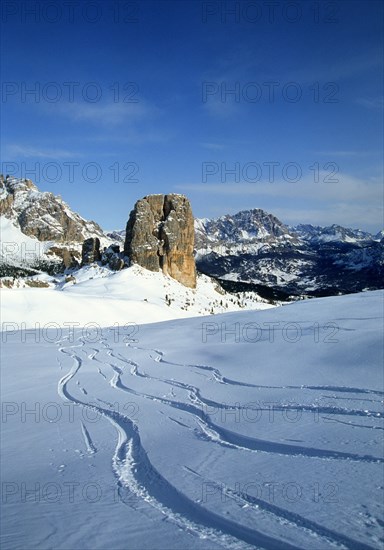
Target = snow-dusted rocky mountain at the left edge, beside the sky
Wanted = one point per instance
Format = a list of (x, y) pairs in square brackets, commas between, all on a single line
[(39, 231)]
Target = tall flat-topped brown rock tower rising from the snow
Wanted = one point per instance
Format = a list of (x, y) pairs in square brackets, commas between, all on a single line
[(160, 235)]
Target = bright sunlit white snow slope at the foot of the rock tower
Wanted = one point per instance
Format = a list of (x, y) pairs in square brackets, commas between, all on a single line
[(135, 295)]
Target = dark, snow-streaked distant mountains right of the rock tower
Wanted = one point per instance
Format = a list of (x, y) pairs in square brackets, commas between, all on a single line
[(255, 247)]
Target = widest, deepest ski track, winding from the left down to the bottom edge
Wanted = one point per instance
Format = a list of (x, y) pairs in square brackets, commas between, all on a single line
[(135, 472)]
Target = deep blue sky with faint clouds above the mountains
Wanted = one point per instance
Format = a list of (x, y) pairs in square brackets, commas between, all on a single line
[(236, 104)]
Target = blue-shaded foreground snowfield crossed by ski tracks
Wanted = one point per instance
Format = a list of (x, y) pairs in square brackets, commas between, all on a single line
[(256, 429)]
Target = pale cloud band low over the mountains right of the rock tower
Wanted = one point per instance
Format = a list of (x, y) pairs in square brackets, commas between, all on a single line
[(351, 201)]
